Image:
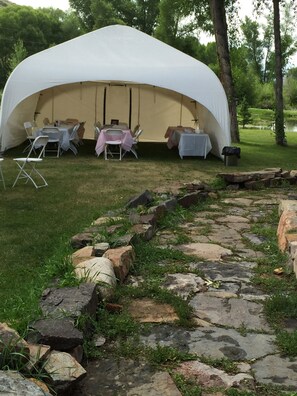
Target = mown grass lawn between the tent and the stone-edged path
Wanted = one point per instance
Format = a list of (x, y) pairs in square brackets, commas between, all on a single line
[(37, 224)]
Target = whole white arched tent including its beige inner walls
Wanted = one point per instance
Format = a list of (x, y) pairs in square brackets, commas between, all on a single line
[(115, 72)]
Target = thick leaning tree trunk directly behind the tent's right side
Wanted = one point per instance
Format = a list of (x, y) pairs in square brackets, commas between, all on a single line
[(218, 14)]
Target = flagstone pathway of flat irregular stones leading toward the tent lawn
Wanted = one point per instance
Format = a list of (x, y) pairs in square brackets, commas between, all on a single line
[(228, 312)]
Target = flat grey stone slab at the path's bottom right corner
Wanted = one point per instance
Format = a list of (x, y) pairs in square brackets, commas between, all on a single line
[(276, 370)]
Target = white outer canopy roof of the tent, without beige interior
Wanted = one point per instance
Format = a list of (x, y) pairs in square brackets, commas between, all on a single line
[(114, 53)]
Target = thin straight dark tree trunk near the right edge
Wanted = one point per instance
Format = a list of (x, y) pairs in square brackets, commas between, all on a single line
[(279, 100)]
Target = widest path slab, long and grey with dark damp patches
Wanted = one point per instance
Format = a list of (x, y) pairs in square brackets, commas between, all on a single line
[(213, 342)]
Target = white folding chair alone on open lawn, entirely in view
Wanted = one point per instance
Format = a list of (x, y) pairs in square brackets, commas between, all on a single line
[(27, 165)]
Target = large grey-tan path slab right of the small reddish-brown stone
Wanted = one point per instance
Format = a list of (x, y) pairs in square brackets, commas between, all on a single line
[(233, 312)]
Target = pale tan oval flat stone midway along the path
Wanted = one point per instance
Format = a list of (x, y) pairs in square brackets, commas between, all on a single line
[(206, 251)]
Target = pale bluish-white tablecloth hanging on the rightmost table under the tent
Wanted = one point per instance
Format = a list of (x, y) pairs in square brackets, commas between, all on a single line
[(194, 144)]
